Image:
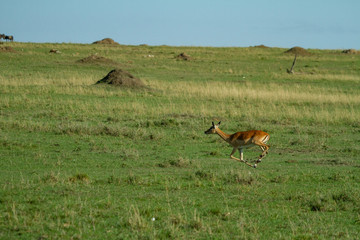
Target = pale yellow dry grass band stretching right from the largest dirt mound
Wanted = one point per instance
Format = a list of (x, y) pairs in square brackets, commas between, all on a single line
[(256, 92)]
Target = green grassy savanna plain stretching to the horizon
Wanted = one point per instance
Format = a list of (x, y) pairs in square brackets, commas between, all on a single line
[(85, 161)]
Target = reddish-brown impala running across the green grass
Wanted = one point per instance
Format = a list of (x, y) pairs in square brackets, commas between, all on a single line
[(241, 140)]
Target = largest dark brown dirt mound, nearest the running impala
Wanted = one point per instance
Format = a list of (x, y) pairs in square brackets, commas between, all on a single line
[(119, 77)]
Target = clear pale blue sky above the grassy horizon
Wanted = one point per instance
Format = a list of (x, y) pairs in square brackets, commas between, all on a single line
[(323, 24)]
